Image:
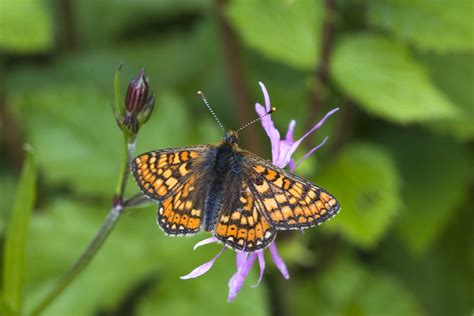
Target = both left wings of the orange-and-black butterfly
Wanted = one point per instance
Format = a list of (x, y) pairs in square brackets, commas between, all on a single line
[(169, 176)]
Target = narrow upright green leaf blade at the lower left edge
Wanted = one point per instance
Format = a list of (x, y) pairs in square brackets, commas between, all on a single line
[(15, 238)]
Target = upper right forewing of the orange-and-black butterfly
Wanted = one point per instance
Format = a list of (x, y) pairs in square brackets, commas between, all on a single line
[(290, 202)]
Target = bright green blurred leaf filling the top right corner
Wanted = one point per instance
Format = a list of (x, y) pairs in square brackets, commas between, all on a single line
[(428, 24)]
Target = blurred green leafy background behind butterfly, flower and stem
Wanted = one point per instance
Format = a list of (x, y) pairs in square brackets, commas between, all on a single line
[(399, 157)]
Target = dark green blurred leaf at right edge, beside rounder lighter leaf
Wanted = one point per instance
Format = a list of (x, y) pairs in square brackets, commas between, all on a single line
[(433, 188)]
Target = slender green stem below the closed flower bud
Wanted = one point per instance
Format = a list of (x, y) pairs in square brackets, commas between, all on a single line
[(119, 205)]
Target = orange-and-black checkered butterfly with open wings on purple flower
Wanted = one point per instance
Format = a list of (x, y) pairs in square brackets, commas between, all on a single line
[(239, 197)]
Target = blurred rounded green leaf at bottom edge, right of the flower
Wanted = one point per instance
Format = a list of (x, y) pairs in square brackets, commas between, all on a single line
[(349, 288)]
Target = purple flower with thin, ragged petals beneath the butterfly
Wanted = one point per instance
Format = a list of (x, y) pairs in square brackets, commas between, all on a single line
[(282, 151)]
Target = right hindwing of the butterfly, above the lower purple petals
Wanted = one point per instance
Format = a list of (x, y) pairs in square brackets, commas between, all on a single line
[(244, 227)]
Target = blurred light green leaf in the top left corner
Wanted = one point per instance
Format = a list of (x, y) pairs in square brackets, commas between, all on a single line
[(25, 26)]
